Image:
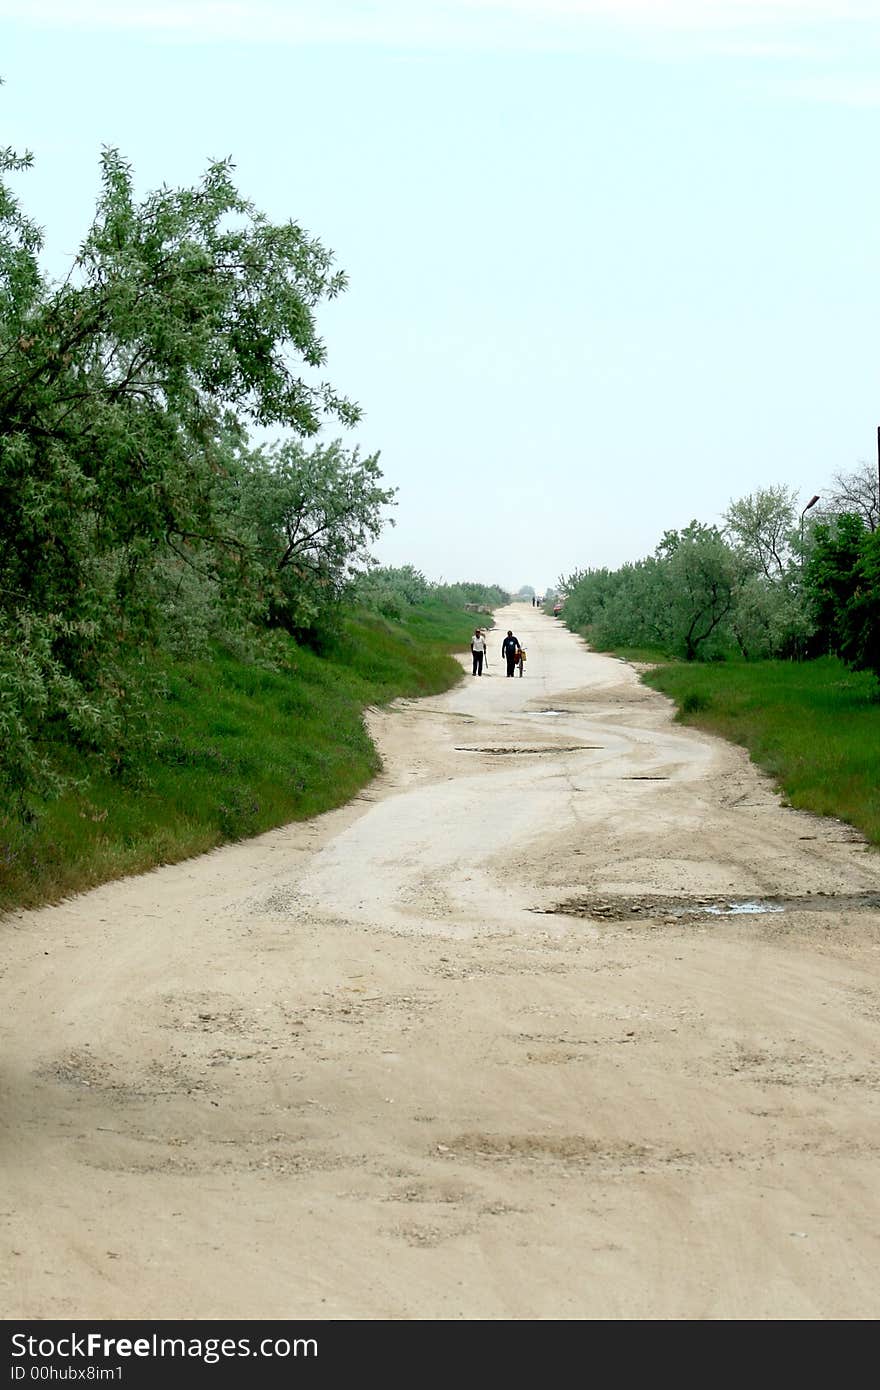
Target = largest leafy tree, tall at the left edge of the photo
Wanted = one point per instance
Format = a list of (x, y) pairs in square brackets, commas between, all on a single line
[(186, 318)]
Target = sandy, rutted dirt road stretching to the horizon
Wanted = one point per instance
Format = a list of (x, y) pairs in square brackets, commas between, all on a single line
[(358, 1070)]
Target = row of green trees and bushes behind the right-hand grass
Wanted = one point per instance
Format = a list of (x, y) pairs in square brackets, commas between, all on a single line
[(772, 582)]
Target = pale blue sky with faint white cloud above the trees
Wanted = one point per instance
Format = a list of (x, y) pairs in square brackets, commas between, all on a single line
[(612, 265)]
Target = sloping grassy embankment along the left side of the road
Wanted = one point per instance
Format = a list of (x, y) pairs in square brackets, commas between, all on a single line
[(243, 750)]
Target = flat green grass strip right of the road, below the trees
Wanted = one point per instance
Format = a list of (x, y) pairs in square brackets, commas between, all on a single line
[(814, 726)]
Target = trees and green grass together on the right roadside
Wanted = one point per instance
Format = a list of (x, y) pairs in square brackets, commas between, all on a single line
[(767, 632)]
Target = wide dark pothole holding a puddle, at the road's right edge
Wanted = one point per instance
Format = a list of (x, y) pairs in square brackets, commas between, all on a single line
[(693, 908)]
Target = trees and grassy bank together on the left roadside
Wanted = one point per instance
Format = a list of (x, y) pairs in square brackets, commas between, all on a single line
[(191, 623)]
